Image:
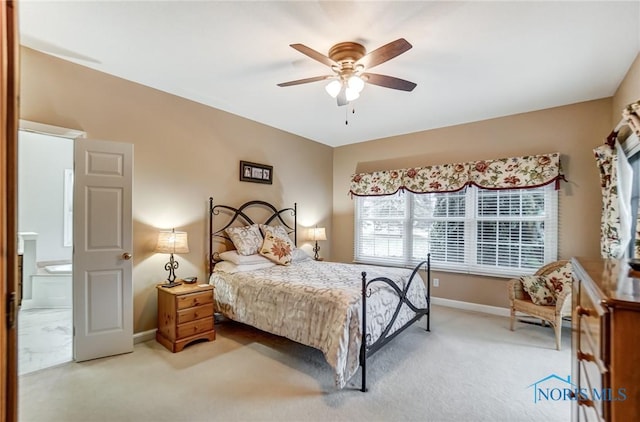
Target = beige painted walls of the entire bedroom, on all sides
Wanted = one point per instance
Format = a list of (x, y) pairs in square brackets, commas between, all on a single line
[(186, 152)]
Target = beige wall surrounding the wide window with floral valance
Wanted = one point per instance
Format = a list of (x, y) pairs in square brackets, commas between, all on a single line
[(572, 130)]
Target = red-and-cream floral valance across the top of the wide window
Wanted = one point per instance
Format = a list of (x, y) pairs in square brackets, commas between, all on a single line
[(505, 173)]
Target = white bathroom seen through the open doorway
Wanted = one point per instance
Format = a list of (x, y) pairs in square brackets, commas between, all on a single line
[(45, 221)]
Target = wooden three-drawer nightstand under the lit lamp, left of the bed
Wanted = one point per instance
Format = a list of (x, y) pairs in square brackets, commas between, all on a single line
[(185, 314)]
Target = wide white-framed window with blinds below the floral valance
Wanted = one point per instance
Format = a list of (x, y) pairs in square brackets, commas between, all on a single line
[(491, 232)]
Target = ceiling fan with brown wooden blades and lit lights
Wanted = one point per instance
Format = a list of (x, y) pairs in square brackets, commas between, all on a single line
[(350, 63)]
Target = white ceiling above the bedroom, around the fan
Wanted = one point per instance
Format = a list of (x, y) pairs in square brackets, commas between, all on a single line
[(471, 60)]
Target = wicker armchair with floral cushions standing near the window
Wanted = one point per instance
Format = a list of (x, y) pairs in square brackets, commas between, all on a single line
[(521, 302)]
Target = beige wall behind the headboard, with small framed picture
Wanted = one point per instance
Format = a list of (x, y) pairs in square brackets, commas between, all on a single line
[(184, 153)]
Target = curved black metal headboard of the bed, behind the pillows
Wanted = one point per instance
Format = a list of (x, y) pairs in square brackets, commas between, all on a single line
[(252, 212)]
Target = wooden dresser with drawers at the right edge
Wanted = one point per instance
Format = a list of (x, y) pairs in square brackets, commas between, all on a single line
[(606, 341)]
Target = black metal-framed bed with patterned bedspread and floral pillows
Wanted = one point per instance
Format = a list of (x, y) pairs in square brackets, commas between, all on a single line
[(315, 303)]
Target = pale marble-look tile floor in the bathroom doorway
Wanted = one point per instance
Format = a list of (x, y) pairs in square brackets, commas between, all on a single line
[(44, 338)]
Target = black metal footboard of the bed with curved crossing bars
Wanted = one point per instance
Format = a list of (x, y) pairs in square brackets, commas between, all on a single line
[(386, 336)]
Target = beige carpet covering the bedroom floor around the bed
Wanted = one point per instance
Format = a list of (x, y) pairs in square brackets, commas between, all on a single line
[(470, 367)]
